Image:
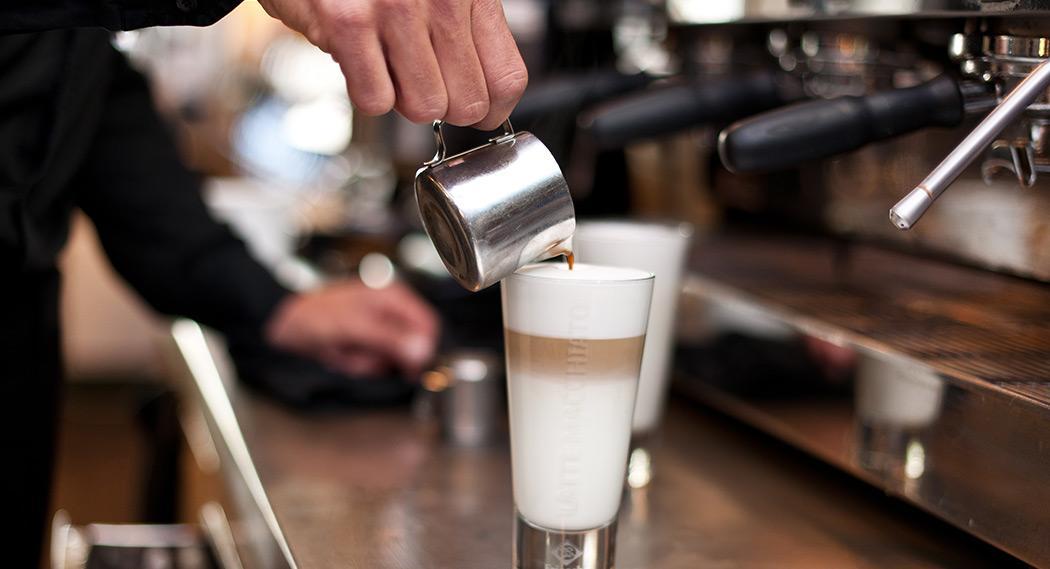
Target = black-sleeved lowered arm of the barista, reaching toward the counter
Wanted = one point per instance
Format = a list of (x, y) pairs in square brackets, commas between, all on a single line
[(155, 226)]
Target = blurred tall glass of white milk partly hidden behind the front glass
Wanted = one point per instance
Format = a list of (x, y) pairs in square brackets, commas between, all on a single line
[(660, 249)]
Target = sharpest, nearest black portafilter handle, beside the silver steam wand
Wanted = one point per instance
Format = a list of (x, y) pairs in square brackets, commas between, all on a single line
[(788, 137)]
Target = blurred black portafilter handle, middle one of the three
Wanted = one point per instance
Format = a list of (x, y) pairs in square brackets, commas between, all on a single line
[(673, 109)]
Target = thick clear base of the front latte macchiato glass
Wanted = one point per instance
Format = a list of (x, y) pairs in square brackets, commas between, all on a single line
[(540, 549)]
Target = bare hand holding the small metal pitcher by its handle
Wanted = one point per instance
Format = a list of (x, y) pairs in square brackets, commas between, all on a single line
[(429, 59)]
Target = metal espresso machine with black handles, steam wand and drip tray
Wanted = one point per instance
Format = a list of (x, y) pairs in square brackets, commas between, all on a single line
[(834, 305)]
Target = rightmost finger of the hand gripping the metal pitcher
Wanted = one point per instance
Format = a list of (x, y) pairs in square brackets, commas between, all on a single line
[(505, 71)]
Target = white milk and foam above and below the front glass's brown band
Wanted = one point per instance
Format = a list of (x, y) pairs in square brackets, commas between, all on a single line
[(571, 432)]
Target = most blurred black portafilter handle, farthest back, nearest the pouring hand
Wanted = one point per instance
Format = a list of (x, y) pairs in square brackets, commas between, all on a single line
[(571, 94)]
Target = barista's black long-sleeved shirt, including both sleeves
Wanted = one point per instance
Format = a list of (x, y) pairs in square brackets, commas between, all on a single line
[(78, 130)]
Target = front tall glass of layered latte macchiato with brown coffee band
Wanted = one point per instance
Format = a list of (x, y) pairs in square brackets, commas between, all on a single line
[(574, 349)]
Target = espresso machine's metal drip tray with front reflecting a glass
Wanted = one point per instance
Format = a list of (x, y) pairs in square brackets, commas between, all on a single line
[(928, 380)]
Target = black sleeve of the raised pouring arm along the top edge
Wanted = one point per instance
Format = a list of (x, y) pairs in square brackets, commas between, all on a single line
[(17, 16)]
